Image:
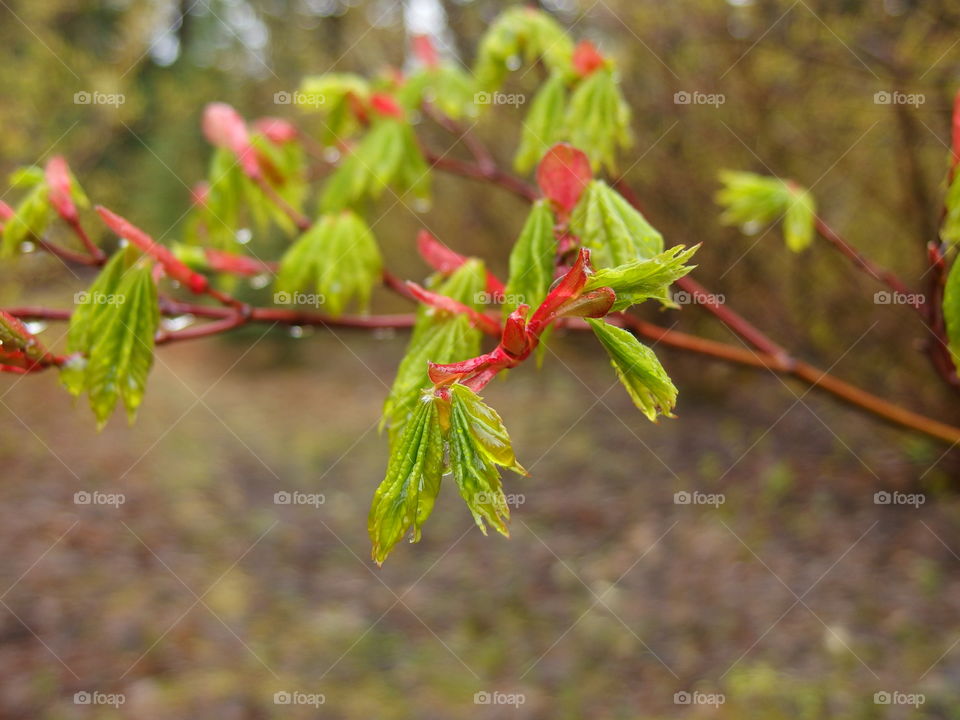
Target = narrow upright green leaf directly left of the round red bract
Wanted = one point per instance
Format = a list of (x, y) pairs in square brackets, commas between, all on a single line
[(531, 260)]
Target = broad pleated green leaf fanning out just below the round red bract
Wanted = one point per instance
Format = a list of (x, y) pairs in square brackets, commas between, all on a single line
[(612, 228)]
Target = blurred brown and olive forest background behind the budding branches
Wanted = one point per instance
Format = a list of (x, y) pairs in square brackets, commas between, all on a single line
[(199, 597)]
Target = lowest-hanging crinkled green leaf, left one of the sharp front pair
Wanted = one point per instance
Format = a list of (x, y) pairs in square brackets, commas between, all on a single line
[(406, 496)]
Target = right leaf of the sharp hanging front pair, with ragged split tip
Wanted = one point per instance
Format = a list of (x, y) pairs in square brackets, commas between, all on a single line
[(478, 444)]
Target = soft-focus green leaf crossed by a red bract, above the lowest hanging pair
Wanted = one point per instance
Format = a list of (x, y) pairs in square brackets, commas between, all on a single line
[(437, 337)]
